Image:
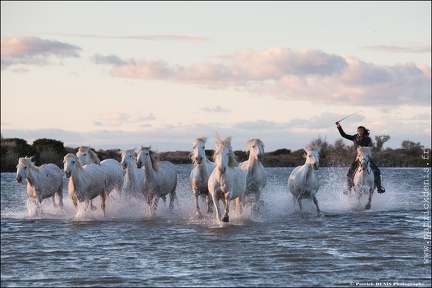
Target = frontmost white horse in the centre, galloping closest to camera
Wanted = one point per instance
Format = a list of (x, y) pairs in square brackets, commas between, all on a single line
[(227, 181)]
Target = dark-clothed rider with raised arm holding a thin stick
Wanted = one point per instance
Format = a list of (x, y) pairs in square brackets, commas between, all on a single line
[(361, 139)]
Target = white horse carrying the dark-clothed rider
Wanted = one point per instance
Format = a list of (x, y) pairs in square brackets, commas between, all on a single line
[(364, 177)]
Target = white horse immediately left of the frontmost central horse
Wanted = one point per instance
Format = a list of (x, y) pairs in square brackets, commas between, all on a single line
[(200, 174)]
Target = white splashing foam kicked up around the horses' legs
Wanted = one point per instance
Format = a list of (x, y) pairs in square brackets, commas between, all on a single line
[(278, 204)]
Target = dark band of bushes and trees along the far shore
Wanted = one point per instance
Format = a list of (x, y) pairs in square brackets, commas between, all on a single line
[(337, 155)]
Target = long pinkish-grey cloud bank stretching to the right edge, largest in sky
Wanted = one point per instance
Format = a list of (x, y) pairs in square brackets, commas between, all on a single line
[(310, 75)]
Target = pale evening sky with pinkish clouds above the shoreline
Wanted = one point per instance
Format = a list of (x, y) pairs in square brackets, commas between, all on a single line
[(120, 75)]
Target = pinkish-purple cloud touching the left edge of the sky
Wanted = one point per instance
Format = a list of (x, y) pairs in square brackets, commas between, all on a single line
[(27, 50)]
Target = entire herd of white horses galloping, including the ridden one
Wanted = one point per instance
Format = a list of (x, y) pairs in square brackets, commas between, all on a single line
[(221, 181)]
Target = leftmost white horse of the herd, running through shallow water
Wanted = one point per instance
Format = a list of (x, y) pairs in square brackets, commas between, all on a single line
[(42, 182)]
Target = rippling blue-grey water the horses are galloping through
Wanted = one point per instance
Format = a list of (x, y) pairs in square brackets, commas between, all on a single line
[(345, 246)]
